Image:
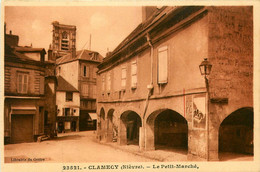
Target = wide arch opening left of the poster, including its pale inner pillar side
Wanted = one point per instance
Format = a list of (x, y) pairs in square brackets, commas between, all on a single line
[(167, 129)]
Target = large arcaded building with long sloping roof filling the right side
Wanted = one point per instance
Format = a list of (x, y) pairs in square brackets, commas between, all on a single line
[(151, 92)]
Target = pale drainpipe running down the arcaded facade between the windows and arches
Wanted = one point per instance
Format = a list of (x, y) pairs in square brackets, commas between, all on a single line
[(149, 87)]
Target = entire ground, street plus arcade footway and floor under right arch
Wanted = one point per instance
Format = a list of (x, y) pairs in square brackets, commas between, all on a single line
[(83, 147)]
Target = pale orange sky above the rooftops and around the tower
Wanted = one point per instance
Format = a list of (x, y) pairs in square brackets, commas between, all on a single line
[(107, 25)]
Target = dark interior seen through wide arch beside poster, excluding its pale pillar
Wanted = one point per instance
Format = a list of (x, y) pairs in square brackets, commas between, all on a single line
[(170, 131)]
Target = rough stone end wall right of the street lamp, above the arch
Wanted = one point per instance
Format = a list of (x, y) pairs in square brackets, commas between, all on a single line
[(230, 50)]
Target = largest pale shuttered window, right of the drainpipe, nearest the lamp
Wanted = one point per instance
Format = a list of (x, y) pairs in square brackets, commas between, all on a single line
[(162, 65)]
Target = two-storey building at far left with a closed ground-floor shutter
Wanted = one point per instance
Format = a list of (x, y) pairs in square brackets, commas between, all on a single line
[(24, 101)]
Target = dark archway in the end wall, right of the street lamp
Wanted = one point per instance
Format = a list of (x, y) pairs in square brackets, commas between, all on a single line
[(236, 132)]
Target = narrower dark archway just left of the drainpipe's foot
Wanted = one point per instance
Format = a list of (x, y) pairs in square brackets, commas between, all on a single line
[(130, 129)]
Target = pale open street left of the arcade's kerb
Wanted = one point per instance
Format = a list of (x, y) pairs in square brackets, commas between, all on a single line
[(68, 147)]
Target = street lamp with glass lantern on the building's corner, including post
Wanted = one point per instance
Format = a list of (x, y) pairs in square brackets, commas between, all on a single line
[(205, 69)]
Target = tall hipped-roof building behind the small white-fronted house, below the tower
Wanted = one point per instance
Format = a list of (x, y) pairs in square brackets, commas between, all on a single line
[(80, 72)]
